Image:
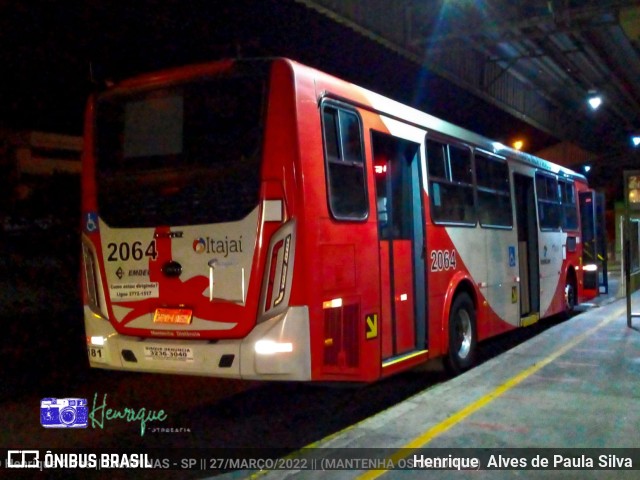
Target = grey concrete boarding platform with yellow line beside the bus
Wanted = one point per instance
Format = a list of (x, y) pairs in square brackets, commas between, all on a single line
[(575, 385)]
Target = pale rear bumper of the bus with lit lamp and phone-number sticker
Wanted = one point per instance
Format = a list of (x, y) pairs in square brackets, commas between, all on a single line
[(277, 349)]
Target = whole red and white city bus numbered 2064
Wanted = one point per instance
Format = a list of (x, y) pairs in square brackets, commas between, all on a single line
[(264, 220)]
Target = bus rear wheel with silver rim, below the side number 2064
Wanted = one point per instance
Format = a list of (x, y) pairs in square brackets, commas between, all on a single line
[(462, 335)]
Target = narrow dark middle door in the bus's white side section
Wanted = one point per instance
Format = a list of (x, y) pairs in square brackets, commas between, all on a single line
[(528, 256)]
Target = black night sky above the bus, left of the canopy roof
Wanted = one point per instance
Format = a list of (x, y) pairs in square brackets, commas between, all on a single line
[(54, 53)]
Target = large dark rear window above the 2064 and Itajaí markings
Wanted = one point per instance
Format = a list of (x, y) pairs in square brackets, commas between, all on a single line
[(182, 154)]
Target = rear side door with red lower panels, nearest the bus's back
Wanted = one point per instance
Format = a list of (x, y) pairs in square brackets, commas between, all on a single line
[(401, 244)]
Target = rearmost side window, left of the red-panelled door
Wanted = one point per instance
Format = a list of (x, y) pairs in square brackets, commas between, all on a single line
[(346, 179)]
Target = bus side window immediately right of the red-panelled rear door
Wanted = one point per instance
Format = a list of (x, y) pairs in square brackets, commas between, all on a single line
[(450, 183)]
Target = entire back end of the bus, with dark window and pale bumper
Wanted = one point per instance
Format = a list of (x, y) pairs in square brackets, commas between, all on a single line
[(179, 222)]
